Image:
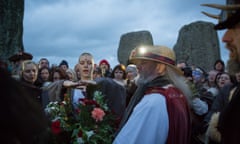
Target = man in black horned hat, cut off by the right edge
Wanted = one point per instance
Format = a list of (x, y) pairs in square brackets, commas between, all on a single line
[(228, 122)]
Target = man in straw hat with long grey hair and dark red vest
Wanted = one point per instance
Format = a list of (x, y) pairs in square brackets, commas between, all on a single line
[(158, 112)]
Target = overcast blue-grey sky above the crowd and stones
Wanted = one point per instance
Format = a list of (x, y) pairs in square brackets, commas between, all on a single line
[(63, 29)]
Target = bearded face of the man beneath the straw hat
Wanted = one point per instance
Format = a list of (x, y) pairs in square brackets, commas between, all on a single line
[(146, 69)]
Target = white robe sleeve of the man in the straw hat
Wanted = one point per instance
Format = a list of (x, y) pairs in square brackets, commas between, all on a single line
[(148, 123)]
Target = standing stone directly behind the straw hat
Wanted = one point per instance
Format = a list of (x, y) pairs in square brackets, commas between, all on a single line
[(131, 40)]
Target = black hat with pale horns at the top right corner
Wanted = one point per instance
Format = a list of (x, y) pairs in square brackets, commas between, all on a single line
[(229, 16)]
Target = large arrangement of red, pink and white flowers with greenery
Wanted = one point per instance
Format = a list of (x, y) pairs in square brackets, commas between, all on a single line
[(91, 122)]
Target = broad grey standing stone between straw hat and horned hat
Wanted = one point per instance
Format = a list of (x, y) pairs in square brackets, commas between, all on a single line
[(198, 45)]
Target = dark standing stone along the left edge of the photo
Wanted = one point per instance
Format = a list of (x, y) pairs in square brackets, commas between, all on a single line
[(11, 27)]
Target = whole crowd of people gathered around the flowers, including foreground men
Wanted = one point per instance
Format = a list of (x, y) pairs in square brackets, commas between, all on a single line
[(156, 99)]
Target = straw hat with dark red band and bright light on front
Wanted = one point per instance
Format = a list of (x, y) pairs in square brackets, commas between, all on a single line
[(159, 54)]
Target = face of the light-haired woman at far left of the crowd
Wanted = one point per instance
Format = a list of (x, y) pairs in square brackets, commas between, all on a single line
[(30, 73)]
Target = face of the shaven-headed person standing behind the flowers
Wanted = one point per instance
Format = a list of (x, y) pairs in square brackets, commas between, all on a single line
[(86, 66)]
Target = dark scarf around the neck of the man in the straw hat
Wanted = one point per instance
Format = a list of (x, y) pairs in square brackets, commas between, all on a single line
[(138, 95)]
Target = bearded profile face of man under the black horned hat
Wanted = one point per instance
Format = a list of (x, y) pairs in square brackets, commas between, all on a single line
[(232, 40)]
